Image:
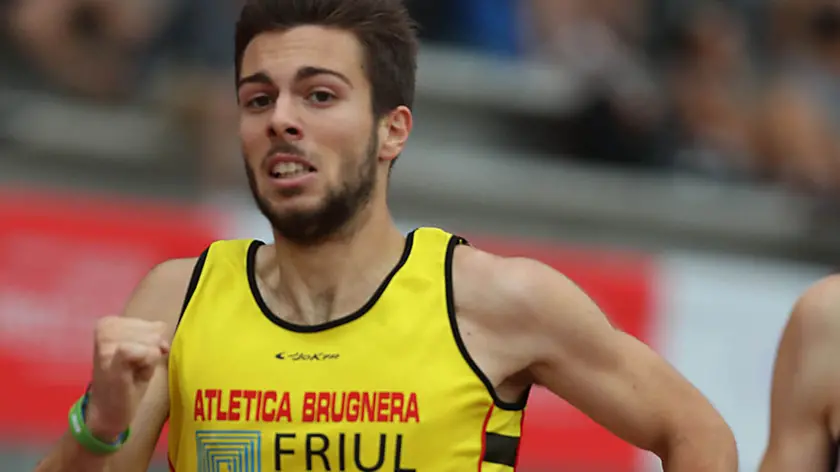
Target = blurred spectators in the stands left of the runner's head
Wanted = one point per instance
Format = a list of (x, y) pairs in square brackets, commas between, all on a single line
[(178, 53)]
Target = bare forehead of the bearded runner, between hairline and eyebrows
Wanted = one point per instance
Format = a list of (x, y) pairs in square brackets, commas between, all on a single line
[(283, 53)]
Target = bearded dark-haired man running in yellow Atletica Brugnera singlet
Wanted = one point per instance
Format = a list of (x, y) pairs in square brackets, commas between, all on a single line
[(345, 345)]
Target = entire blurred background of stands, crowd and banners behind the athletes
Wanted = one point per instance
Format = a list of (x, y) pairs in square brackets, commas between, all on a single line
[(679, 159)]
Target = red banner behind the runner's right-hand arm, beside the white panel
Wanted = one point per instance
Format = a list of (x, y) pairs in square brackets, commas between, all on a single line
[(622, 284)]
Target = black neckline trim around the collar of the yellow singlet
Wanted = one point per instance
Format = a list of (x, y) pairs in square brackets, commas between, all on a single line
[(255, 292)]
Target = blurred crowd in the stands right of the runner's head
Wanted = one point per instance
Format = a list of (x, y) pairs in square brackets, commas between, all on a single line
[(745, 90)]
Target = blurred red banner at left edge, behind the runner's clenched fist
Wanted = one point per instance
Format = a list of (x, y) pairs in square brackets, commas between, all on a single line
[(64, 262)]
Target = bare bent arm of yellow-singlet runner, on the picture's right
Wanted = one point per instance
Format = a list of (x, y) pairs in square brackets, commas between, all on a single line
[(609, 375)]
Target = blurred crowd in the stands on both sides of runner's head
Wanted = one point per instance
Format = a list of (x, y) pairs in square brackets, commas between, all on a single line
[(741, 89)]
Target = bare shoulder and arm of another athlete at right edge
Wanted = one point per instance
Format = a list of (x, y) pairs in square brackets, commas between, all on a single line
[(805, 402)]
